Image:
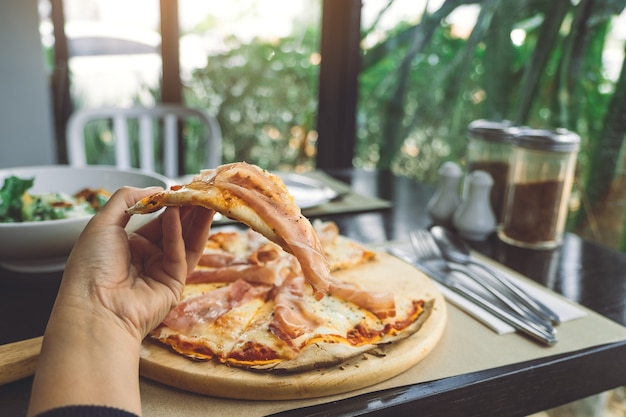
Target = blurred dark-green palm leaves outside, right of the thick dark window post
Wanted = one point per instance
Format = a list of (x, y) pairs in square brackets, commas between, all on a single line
[(535, 62)]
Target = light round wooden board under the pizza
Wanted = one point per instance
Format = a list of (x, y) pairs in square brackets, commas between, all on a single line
[(385, 272)]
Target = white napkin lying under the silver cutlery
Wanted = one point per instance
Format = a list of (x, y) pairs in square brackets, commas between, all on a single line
[(565, 309)]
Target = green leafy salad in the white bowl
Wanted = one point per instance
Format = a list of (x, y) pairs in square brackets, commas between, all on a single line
[(17, 205)]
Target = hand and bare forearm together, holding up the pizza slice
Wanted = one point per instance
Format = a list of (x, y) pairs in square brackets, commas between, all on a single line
[(115, 289)]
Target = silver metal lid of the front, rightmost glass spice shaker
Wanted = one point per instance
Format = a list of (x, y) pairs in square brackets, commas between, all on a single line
[(557, 140)]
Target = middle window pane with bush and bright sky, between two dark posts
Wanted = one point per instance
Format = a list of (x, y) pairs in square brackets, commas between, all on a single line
[(258, 75)]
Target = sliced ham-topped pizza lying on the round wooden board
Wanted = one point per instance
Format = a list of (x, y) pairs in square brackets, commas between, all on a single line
[(247, 305)]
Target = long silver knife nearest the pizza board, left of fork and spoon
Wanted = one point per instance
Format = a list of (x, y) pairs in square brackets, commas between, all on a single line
[(447, 280)]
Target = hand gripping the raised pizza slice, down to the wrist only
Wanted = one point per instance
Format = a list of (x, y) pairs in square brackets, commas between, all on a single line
[(136, 279)]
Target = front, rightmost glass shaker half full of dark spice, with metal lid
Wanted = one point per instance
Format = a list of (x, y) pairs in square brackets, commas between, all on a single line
[(539, 187)]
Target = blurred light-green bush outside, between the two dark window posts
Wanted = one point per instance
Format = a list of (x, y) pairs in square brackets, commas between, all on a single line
[(264, 95)]
